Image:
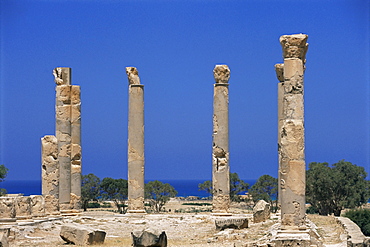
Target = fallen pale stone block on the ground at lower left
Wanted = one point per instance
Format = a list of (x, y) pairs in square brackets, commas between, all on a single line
[(81, 235)]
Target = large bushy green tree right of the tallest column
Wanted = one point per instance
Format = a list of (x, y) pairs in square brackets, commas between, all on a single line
[(330, 189)]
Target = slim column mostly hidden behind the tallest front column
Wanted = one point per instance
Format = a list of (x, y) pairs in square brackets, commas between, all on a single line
[(279, 69)]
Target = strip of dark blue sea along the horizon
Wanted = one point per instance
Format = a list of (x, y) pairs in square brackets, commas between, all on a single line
[(184, 188)]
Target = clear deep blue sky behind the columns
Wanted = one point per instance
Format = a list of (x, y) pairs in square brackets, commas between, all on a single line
[(175, 46)]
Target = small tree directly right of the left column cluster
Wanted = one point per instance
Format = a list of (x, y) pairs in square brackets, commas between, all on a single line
[(90, 189)]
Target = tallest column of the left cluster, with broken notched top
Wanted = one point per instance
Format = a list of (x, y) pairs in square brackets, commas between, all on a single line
[(63, 133)]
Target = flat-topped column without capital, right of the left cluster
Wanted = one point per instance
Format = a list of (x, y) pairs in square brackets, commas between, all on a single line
[(76, 147)]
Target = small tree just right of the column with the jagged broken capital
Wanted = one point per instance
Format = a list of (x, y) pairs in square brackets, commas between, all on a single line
[(159, 194)]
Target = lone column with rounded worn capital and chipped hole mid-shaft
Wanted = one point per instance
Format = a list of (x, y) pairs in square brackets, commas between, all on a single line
[(220, 150)]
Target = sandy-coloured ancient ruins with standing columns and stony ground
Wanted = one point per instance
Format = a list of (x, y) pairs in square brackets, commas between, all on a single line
[(56, 218)]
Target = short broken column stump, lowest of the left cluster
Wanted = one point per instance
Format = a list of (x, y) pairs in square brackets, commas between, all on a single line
[(50, 172)]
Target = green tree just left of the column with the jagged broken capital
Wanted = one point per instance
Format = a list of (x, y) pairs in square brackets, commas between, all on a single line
[(115, 190)]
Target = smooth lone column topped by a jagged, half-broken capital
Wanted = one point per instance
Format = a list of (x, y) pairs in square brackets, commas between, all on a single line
[(135, 142)]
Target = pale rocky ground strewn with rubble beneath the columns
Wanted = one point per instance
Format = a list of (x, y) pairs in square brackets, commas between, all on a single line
[(182, 229)]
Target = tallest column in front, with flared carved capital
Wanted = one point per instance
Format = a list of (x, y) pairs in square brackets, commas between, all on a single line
[(292, 159)]
